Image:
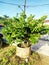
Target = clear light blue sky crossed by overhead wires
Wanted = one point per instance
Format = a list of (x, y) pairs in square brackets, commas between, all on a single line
[(10, 10)]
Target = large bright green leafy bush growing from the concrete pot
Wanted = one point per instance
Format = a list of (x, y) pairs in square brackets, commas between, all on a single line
[(23, 28)]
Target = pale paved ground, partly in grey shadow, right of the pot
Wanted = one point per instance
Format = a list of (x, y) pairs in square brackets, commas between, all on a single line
[(42, 47)]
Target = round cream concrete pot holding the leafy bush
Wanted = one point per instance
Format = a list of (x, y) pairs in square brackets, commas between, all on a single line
[(23, 52)]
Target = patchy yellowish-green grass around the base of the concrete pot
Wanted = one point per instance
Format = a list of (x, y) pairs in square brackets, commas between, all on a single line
[(8, 57)]
